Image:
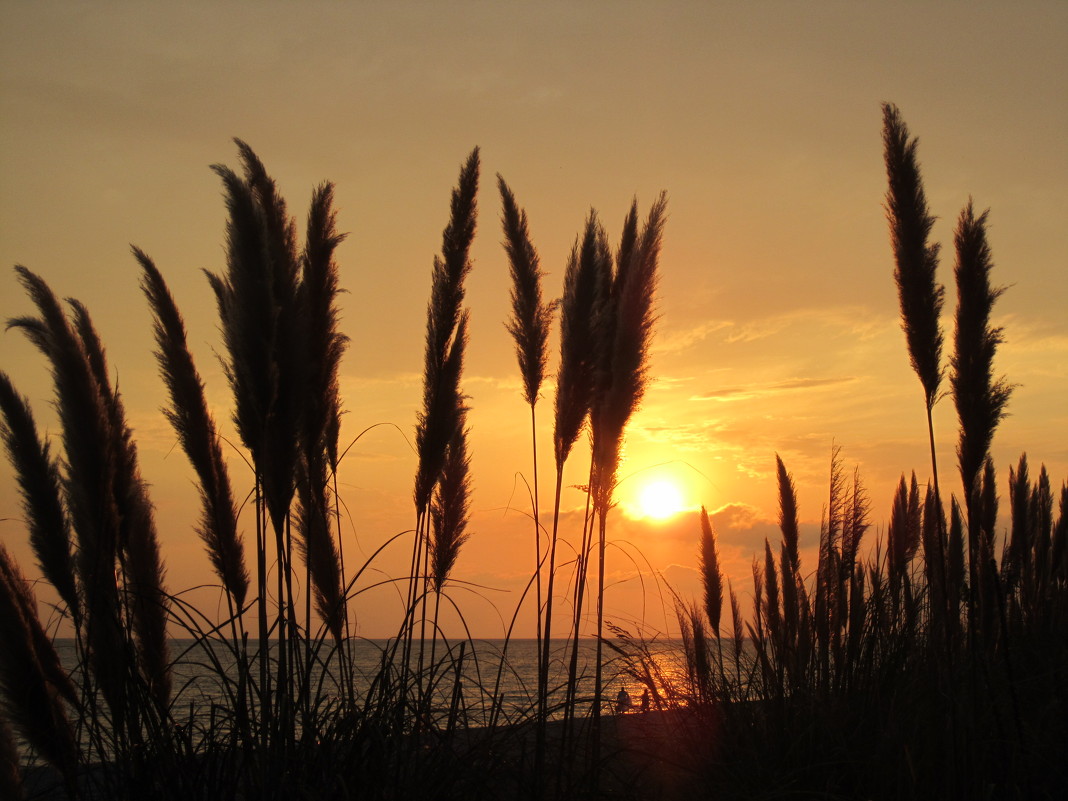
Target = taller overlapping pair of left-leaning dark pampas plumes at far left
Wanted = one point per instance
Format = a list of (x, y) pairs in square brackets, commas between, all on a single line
[(122, 606)]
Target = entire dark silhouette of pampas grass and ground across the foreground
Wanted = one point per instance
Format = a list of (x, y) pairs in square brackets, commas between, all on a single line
[(933, 665)]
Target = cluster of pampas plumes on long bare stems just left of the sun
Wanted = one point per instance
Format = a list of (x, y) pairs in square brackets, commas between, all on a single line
[(607, 318)]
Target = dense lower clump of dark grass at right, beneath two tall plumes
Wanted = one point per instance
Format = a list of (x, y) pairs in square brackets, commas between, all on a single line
[(842, 684)]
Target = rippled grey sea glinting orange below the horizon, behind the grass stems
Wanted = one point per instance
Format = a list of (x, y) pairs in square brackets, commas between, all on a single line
[(475, 683)]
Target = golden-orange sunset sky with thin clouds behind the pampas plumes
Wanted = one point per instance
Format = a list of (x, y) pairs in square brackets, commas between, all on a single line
[(779, 328)]
